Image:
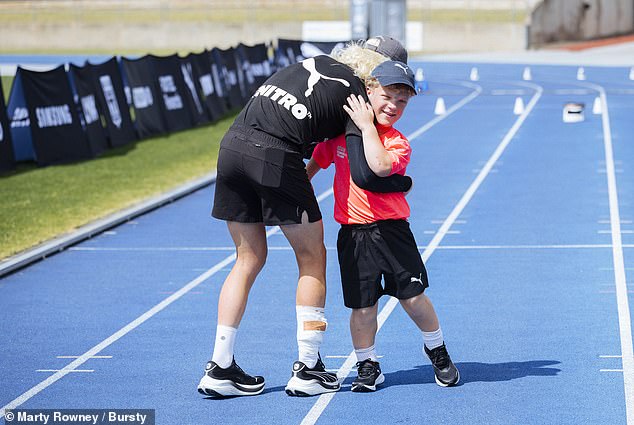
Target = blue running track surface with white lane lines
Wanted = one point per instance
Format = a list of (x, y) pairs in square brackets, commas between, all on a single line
[(525, 224)]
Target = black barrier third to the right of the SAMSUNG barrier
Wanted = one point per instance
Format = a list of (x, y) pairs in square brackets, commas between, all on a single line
[(149, 117)]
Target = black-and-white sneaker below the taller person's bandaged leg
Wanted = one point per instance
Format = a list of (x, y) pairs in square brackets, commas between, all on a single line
[(306, 382)]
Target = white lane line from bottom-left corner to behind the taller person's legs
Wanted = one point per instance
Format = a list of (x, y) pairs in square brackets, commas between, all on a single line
[(71, 367)]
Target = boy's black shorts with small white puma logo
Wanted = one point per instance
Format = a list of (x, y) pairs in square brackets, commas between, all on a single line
[(368, 252)]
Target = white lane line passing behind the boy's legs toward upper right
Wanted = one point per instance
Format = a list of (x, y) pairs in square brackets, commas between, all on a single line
[(322, 402)]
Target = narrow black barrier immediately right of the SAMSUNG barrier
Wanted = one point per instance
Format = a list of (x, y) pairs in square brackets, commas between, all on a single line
[(84, 88)]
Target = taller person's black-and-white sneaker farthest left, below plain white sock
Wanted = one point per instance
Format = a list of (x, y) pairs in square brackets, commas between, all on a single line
[(232, 381)]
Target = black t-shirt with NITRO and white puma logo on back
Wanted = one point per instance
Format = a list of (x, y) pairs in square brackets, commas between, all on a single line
[(302, 104)]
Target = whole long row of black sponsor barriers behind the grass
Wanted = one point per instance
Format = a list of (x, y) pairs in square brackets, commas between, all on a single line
[(121, 101)]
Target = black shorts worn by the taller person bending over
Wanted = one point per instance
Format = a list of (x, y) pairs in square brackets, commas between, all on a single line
[(261, 179)]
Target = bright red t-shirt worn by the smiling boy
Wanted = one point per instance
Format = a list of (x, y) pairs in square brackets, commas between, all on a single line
[(354, 205)]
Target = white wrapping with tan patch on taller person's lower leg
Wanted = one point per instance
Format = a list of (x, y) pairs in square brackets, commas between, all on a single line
[(311, 324)]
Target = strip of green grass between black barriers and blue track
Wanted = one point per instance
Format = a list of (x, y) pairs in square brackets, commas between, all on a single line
[(41, 203)]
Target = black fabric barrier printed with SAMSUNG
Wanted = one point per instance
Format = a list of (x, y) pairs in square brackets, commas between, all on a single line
[(56, 131)]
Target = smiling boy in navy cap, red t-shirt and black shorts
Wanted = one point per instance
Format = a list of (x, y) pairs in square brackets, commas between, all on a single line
[(375, 240)]
